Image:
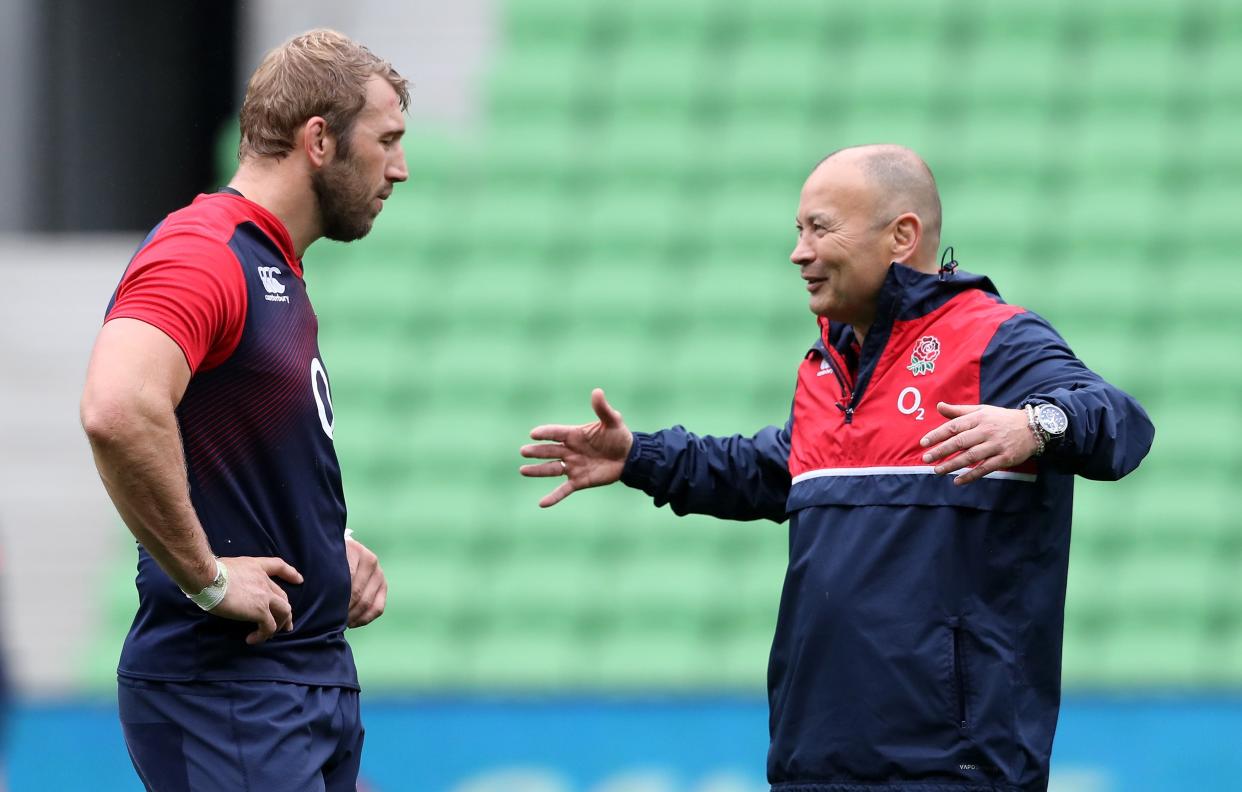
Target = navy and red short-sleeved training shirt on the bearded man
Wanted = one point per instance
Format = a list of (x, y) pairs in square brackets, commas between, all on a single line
[(220, 277)]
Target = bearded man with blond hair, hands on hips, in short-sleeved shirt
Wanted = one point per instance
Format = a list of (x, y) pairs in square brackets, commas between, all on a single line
[(209, 412)]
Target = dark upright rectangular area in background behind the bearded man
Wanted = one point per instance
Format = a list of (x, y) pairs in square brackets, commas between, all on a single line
[(129, 101)]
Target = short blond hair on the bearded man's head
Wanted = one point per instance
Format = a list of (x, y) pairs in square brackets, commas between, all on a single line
[(321, 73)]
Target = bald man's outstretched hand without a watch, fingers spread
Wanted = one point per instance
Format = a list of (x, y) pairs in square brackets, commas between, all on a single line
[(592, 455)]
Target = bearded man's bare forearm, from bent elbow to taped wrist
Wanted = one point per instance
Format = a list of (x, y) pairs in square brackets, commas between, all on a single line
[(138, 452)]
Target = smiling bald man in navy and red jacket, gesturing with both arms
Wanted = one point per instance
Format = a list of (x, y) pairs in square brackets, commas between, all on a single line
[(927, 474)]
